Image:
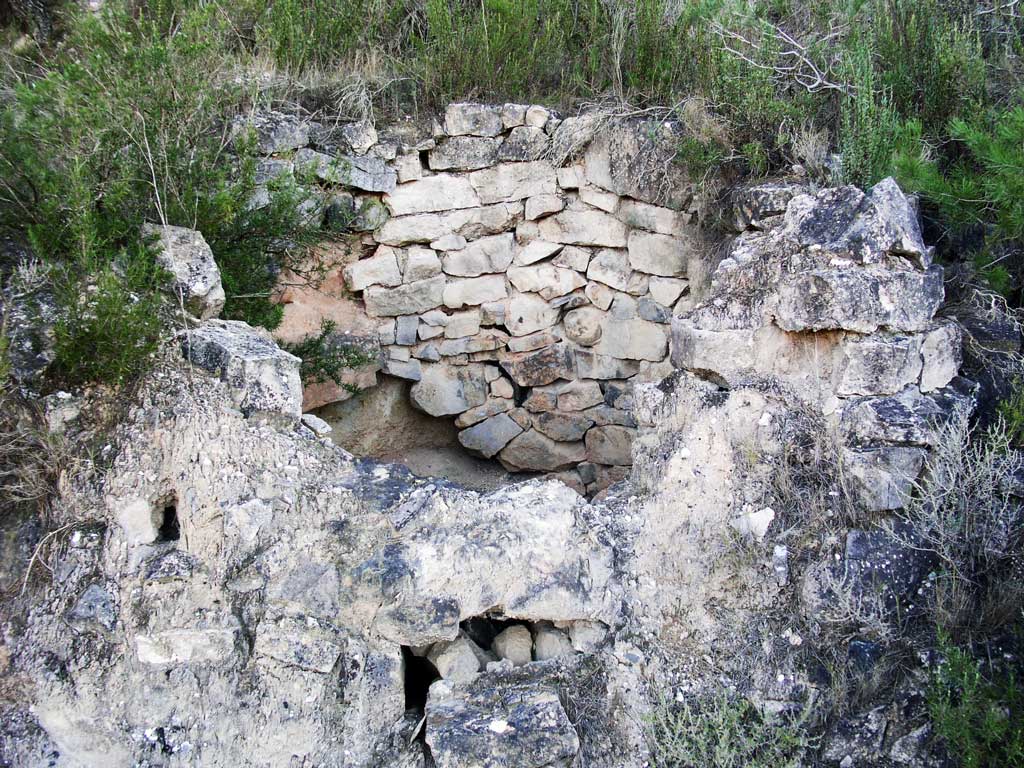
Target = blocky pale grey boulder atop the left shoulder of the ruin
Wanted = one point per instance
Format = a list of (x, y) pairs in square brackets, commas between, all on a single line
[(262, 377)]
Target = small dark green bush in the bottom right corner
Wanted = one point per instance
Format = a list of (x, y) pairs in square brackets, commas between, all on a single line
[(979, 718)]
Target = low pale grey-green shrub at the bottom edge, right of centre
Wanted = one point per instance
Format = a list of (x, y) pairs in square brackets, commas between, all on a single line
[(722, 733)]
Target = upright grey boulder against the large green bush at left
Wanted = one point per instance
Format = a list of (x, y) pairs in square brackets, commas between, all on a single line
[(187, 257)]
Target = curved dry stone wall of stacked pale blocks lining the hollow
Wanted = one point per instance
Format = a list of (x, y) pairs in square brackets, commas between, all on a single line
[(523, 270)]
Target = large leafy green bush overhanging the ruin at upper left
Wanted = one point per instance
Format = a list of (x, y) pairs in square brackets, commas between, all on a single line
[(130, 122)]
